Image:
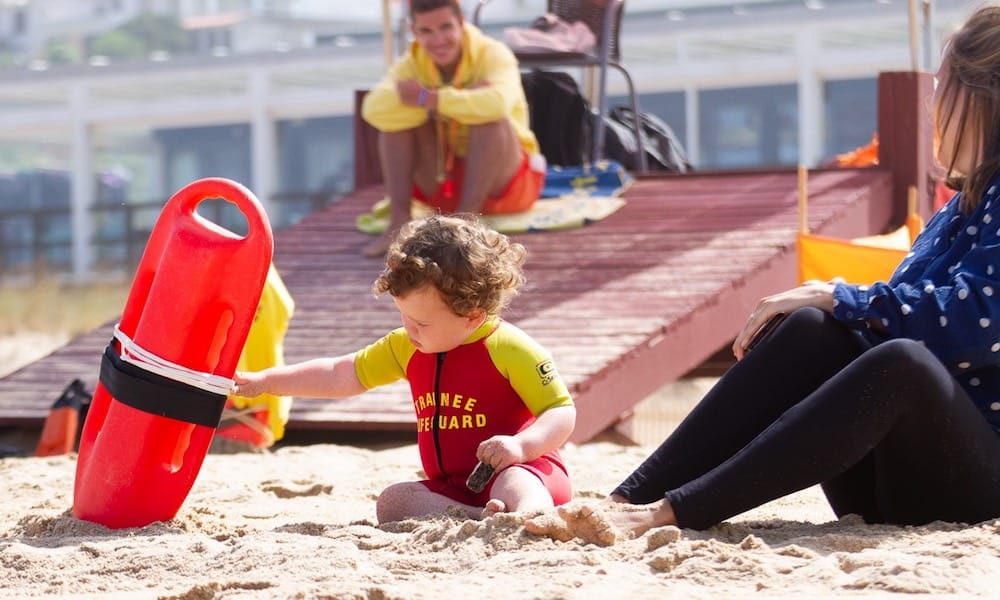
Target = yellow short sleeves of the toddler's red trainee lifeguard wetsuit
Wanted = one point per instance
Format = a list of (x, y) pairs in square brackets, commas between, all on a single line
[(513, 353)]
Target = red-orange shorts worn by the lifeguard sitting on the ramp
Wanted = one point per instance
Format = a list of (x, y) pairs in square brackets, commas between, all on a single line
[(517, 196)]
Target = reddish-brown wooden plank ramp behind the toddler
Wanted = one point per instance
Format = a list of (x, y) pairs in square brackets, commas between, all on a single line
[(626, 305)]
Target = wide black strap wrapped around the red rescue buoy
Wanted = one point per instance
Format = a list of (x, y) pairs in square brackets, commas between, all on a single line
[(158, 395)]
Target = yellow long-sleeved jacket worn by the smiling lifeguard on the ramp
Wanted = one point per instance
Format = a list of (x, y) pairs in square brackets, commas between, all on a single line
[(483, 59)]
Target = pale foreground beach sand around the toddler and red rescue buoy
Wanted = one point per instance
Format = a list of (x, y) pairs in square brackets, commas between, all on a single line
[(299, 522)]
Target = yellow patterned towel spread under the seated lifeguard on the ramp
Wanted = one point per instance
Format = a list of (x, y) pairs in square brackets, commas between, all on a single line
[(565, 212)]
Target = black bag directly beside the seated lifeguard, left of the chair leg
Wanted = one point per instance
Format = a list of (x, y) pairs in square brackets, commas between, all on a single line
[(560, 116)]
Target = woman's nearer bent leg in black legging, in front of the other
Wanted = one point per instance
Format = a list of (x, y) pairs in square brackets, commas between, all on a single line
[(935, 456)]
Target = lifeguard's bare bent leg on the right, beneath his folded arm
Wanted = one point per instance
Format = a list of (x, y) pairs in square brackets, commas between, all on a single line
[(493, 157)]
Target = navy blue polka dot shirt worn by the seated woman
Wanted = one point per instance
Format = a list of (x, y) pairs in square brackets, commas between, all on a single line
[(946, 294)]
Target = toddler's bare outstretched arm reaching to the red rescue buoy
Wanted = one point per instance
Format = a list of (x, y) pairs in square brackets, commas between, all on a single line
[(316, 378)]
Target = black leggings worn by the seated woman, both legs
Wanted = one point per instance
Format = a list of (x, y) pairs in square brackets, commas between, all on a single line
[(886, 430)]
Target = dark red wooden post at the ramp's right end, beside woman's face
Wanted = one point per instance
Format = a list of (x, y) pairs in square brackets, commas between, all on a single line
[(905, 135)]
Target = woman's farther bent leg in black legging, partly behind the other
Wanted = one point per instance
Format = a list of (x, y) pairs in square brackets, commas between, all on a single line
[(808, 348)]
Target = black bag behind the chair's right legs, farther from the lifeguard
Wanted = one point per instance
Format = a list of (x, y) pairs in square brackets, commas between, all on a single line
[(664, 151)]
